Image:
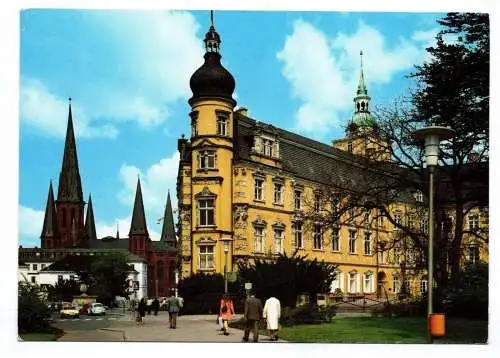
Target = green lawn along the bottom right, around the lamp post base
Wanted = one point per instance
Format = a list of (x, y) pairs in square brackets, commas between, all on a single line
[(384, 330)]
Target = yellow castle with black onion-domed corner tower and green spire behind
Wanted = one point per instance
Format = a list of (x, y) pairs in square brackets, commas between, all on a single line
[(242, 187)]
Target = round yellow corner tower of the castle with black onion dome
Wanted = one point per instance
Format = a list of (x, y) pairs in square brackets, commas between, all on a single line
[(211, 147)]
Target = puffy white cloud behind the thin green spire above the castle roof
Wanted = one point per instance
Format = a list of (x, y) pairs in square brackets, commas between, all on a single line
[(323, 72)]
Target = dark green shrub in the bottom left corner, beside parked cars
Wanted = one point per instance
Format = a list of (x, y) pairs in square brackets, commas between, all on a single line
[(33, 313)]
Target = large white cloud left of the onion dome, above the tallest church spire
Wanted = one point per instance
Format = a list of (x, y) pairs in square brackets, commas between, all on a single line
[(154, 53)]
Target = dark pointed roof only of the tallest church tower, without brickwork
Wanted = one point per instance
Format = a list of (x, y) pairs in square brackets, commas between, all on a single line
[(70, 185)]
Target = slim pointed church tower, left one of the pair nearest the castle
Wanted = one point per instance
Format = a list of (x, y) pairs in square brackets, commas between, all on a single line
[(138, 235)]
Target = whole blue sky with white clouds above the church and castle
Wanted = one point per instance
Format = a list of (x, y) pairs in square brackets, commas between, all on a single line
[(128, 74)]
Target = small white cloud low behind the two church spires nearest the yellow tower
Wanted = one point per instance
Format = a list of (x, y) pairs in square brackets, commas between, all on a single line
[(156, 180)]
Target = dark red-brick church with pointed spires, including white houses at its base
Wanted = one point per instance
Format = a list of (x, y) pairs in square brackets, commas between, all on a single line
[(67, 233)]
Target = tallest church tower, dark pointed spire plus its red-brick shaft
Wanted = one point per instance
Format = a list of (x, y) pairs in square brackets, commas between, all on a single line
[(70, 204)]
